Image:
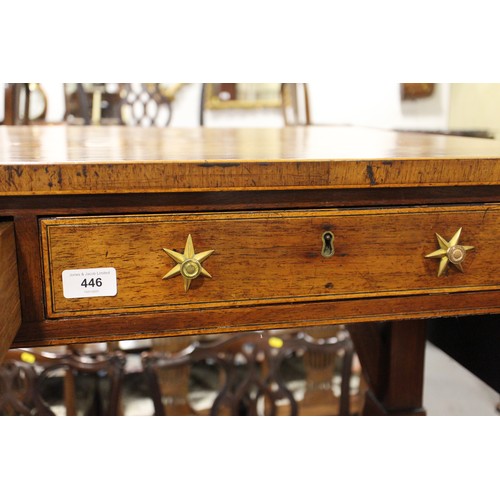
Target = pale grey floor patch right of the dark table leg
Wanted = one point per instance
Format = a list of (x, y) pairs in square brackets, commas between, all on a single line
[(450, 389)]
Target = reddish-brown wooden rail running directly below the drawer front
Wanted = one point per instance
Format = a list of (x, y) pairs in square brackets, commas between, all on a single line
[(103, 328)]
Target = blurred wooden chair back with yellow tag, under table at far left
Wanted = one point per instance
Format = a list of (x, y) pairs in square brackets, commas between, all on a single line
[(66, 382)]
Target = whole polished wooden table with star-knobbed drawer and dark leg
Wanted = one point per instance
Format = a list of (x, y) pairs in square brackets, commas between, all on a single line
[(111, 233)]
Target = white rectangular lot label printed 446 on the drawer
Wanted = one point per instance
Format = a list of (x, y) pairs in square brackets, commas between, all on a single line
[(80, 283)]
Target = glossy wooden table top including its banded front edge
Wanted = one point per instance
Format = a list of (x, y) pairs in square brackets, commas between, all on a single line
[(62, 159)]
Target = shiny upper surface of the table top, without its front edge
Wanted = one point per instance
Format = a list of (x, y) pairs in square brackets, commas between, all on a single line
[(93, 144)]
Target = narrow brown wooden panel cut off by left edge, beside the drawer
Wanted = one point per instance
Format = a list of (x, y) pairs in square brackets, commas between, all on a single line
[(10, 306)]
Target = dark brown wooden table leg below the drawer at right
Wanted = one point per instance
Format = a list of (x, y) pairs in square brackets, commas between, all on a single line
[(392, 358)]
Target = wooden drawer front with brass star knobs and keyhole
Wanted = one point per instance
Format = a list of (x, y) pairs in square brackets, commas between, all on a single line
[(266, 257)]
